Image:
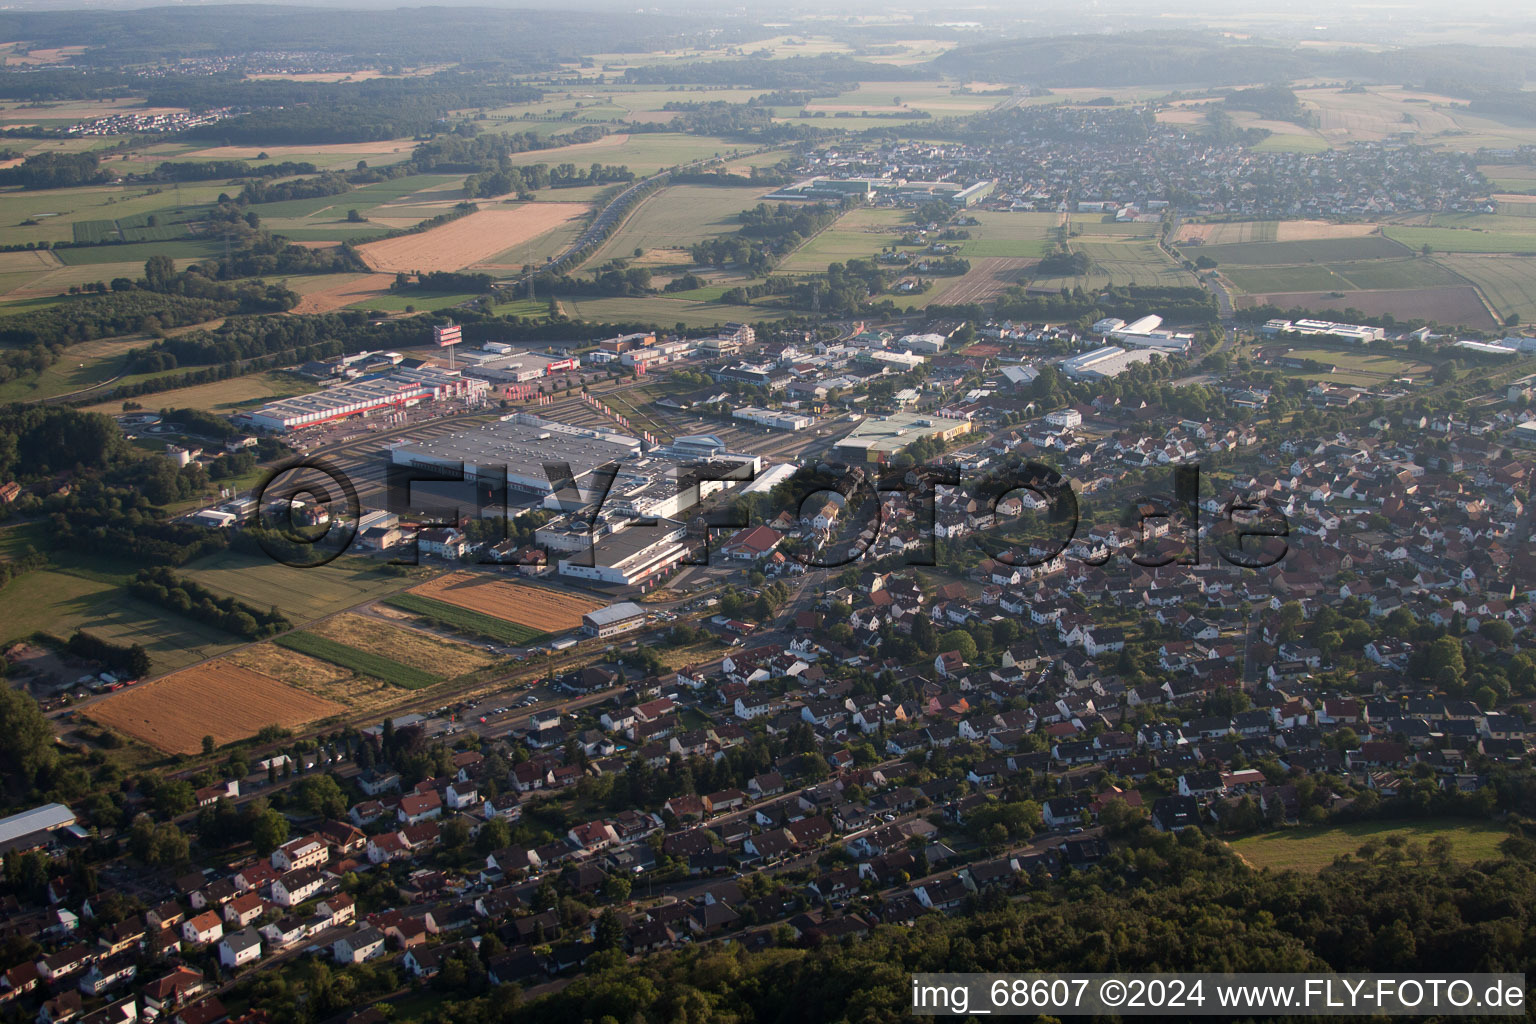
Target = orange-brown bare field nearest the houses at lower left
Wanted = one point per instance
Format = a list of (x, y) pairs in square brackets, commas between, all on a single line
[(216, 699)]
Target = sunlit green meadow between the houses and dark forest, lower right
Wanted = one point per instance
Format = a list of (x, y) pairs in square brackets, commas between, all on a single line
[(1314, 850)]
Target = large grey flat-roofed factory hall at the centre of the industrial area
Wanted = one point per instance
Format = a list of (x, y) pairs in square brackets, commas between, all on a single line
[(517, 449)]
